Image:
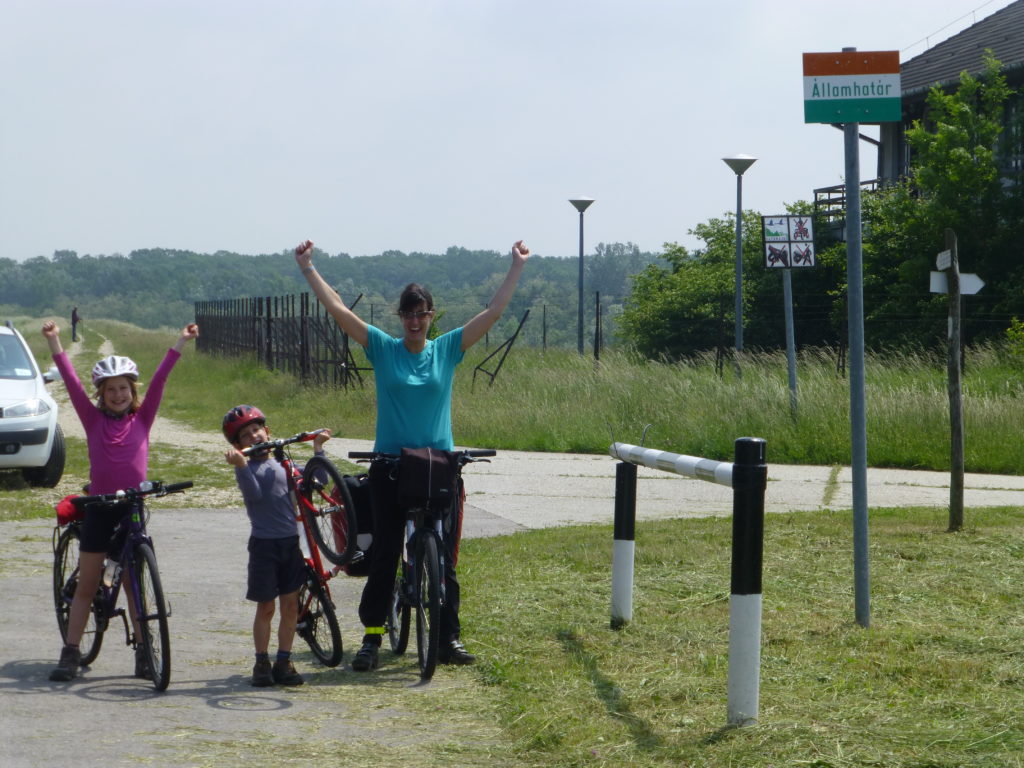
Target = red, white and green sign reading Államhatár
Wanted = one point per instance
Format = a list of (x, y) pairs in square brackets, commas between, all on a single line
[(852, 88)]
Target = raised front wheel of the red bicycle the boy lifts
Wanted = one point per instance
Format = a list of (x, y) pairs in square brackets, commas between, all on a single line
[(329, 507)]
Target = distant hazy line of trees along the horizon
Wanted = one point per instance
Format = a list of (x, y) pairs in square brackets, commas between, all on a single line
[(159, 287)]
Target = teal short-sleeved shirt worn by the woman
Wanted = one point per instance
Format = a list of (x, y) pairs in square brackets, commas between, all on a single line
[(414, 392)]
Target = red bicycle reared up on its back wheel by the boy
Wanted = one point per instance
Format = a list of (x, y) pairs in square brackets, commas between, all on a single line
[(327, 517)]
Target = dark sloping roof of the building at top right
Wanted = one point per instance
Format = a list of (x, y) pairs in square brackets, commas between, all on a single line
[(1003, 33)]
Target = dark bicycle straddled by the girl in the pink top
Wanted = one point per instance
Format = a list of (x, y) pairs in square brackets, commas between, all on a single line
[(132, 562)]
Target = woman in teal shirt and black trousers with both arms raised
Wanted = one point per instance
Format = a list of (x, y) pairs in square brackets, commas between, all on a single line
[(414, 378)]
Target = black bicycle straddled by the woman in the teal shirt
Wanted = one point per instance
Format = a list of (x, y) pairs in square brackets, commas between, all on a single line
[(420, 584)]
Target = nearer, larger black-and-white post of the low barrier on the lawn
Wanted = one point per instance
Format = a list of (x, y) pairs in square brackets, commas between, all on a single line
[(750, 478)]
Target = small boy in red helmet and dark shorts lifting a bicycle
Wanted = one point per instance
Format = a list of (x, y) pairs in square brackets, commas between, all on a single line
[(277, 569)]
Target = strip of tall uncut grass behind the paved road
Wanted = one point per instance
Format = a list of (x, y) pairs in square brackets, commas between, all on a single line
[(557, 401)]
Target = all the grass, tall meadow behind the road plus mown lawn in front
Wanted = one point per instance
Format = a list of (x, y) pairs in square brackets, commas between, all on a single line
[(936, 682)]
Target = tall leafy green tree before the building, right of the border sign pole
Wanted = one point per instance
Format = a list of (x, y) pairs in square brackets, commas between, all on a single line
[(957, 182)]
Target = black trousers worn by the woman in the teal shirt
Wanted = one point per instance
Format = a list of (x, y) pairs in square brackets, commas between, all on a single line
[(390, 536)]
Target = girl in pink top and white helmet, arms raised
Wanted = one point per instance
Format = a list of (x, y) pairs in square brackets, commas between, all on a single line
[(117, 434)]
